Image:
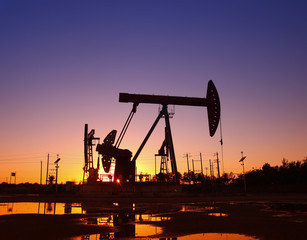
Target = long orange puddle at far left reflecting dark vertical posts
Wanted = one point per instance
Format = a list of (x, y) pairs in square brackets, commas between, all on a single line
[(40, 208)]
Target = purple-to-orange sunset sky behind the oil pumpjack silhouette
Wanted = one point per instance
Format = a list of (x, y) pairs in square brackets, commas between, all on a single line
[(64, 63)]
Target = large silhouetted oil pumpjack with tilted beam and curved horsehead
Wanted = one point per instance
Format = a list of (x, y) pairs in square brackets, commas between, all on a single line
[(124, 166)]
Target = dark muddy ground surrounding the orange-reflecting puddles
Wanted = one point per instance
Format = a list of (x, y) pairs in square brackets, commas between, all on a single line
[(267, 217)]
